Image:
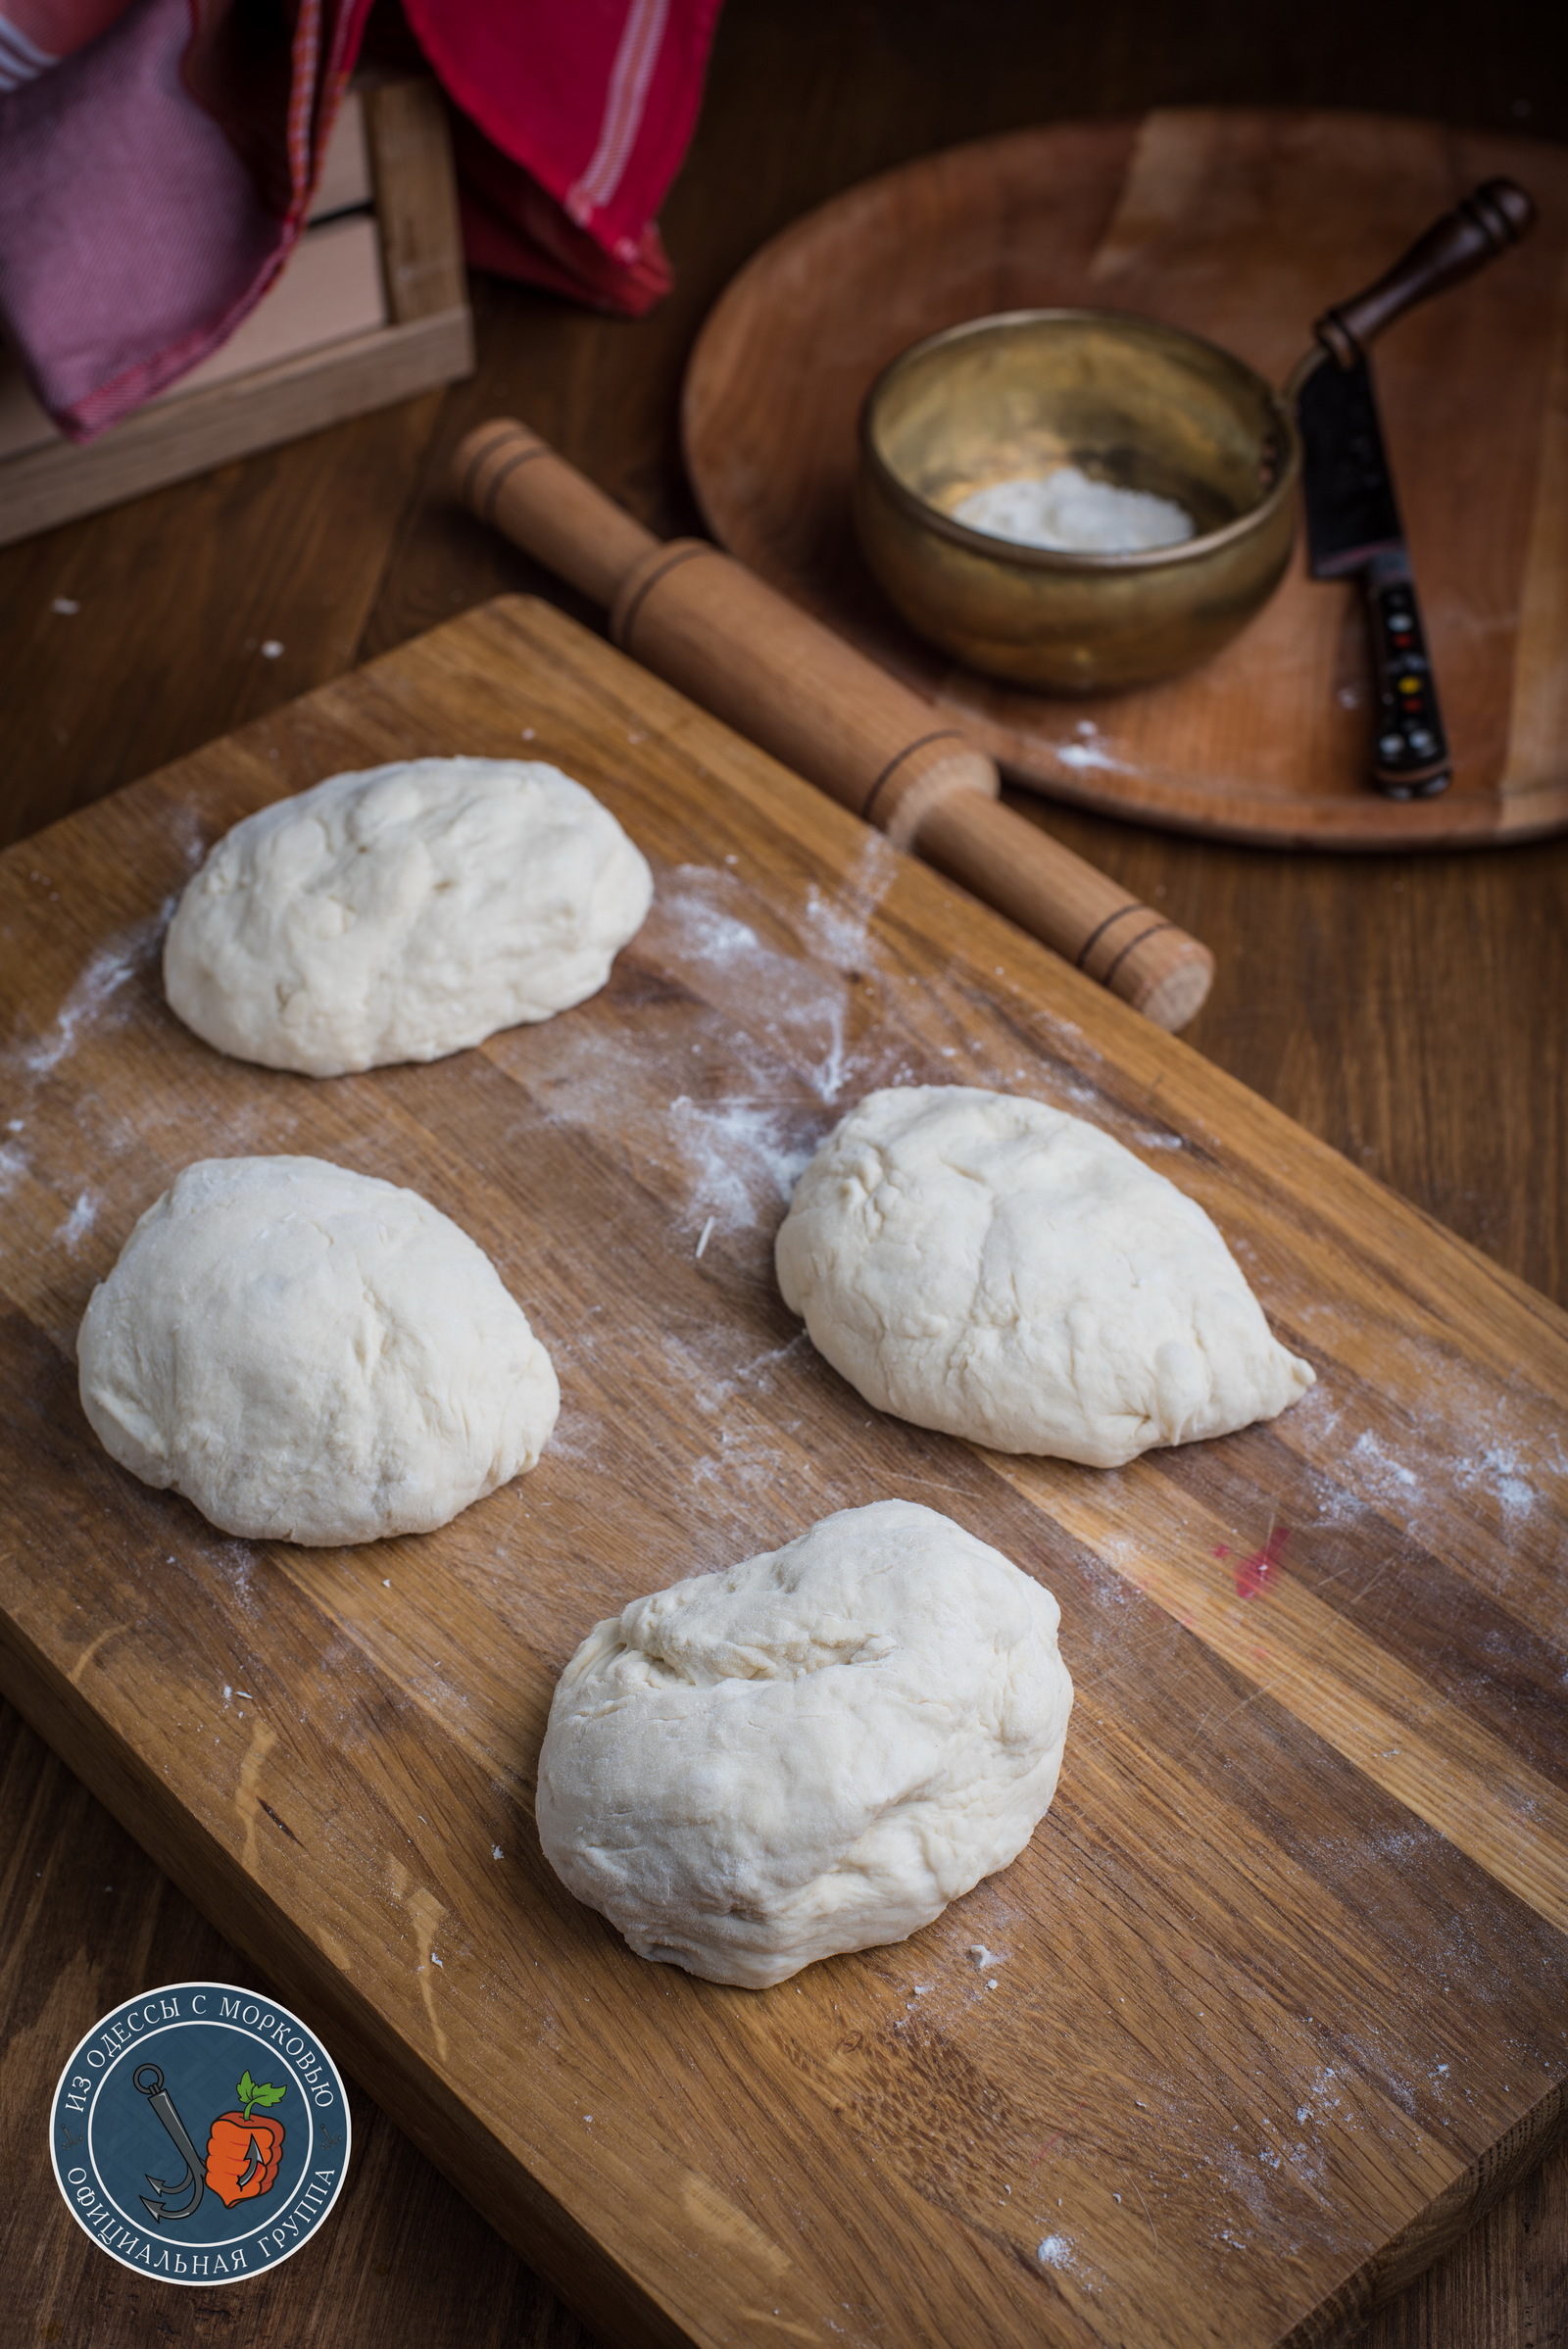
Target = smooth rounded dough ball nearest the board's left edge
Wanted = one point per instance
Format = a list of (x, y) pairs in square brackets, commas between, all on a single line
[(311, 1357)]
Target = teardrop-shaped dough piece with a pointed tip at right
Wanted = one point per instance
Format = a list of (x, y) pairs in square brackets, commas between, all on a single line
[(996, 1270)]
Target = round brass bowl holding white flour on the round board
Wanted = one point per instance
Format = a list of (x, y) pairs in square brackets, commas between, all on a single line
[(1130, 403)]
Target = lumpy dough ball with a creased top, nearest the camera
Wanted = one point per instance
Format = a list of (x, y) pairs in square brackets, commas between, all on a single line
[(809, 1754)]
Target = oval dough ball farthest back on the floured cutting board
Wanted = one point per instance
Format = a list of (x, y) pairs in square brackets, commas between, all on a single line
[(403, 915)]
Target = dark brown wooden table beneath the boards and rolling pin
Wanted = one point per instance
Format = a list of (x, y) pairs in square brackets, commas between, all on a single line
[(1407, 1009)]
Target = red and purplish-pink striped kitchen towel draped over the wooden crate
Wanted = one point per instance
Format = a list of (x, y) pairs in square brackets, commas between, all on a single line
[(158, 161)]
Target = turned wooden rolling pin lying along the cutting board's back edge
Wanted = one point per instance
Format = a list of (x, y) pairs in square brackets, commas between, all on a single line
[(708, 626)]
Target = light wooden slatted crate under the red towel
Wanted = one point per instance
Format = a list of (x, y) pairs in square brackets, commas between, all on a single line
[(370, 309)]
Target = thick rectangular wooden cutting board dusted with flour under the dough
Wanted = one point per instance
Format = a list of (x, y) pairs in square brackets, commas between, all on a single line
[(1283, 1981)]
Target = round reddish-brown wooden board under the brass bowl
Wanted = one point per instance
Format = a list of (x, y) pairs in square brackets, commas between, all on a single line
[(1241, 227)]
